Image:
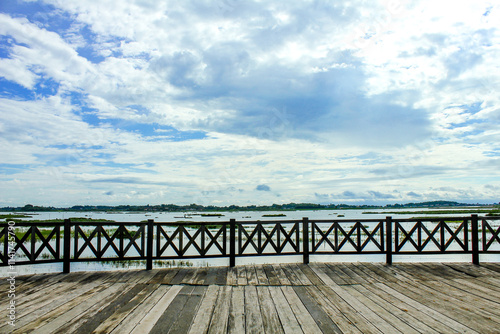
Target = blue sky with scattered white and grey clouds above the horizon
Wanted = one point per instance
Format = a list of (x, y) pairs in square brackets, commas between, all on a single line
[(249, 102)]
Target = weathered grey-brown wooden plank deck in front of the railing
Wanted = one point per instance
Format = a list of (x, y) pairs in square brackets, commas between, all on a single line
[(291, 298)]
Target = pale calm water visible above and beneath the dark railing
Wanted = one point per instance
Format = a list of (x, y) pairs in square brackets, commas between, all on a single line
[(241, 216)]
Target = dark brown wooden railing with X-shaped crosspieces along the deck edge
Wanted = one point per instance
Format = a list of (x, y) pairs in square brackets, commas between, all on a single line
[(68, 242)]
